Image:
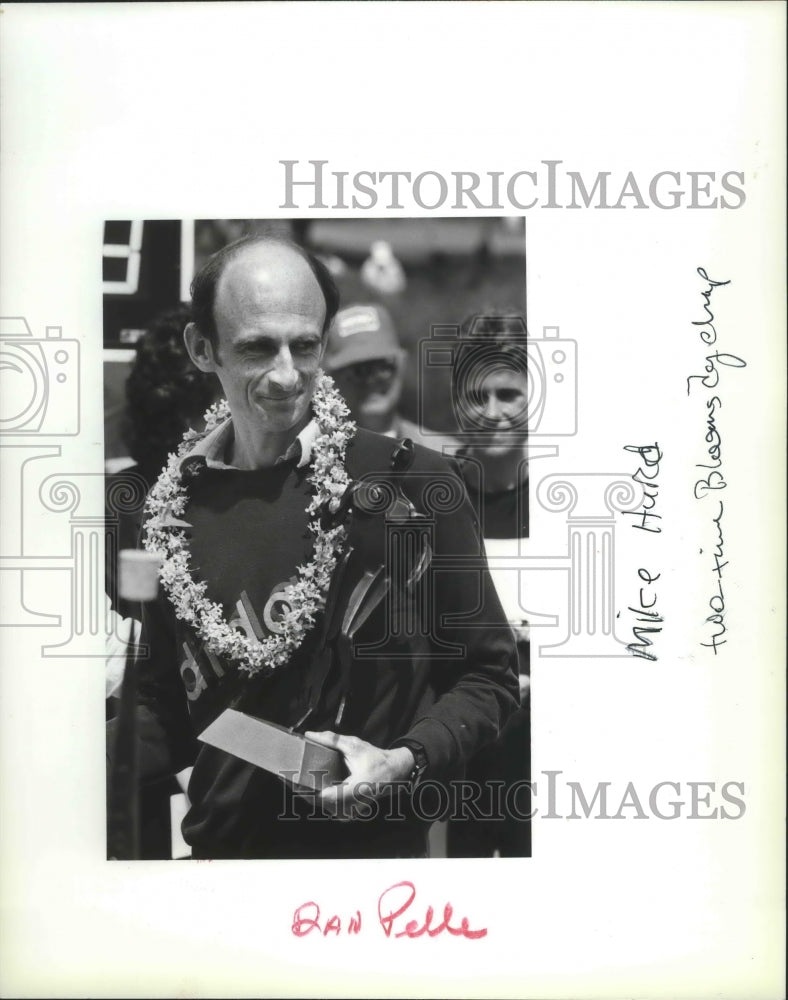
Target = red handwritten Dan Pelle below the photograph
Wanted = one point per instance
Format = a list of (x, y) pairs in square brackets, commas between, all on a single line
[(394, 904)]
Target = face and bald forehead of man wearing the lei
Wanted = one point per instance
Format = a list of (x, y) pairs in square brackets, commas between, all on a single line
[(269, 313)]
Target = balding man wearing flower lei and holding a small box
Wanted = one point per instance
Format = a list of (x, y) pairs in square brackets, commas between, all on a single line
[(301, 559)]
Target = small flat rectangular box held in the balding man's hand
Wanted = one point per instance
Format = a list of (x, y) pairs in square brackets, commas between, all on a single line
[(289, 755)]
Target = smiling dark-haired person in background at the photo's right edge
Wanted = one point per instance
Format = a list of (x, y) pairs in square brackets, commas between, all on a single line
[(490, 389)]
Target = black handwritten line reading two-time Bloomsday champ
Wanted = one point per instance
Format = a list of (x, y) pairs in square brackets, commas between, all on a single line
[(711, 481)]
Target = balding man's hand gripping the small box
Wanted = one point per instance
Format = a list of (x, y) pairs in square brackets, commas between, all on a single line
[(371, 770)]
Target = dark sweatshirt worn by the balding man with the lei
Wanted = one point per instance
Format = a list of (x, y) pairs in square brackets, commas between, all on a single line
[(433, 661)]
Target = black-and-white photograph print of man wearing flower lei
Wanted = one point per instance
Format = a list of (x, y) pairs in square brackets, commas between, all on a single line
[(337, 619)]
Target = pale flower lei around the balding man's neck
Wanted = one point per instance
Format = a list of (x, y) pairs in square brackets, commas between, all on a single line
[(306, 597)]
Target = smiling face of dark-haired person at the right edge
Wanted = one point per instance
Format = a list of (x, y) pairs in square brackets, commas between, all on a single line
[(498, 405)]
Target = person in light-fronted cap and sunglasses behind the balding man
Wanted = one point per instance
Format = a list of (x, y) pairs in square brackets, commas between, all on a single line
[(365, 359)]
